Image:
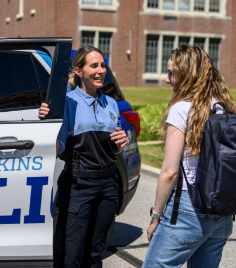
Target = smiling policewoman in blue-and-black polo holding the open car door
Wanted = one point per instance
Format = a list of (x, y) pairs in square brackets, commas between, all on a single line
[(88, 140)]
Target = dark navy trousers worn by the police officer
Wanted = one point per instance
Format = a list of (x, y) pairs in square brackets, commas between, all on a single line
[(86, 211)]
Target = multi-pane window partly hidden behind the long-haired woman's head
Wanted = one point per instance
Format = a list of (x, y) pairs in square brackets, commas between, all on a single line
[(159, 45)]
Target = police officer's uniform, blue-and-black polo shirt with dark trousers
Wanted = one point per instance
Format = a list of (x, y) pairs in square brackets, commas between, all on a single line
[(87, 206)]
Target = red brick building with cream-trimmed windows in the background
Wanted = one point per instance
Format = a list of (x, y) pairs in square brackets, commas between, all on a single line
[(136, 35)]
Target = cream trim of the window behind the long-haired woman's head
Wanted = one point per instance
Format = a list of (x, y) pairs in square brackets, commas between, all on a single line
[(162, 76)]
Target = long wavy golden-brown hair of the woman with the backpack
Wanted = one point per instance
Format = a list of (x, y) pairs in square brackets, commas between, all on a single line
[(198, 80)]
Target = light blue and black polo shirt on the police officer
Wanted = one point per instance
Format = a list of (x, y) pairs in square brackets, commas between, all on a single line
[(86, 128)]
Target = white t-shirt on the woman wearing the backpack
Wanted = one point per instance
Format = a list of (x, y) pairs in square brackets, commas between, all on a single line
[(178, 117)]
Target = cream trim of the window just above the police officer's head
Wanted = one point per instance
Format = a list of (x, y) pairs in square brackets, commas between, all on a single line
[(97, 30)]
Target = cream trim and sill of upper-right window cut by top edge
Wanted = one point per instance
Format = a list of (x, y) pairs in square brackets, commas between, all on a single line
[(179, 13)]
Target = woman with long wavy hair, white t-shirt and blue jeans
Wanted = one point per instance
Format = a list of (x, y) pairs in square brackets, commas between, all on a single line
[(197, 238)]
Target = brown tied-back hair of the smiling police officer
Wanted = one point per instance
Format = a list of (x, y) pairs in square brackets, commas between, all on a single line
[(79, 61)]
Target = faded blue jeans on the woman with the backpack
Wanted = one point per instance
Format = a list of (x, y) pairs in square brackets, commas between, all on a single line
[(197, 238)]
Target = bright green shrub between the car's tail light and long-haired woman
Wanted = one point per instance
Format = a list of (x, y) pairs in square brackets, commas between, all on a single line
[(150, 117)]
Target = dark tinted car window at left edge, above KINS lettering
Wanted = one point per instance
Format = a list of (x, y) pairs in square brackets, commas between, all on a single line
[(19, 87)]
